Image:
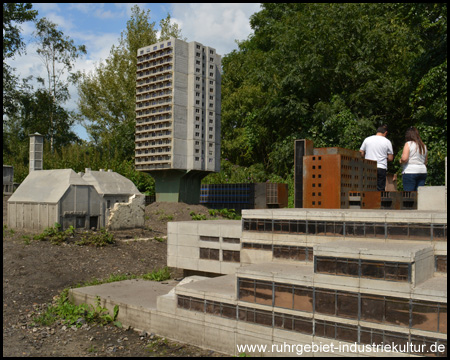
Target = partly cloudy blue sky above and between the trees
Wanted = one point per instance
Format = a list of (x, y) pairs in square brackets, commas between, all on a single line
[(98, 26)]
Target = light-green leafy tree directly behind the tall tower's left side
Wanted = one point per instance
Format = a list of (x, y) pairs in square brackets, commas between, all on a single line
[(107, 95)]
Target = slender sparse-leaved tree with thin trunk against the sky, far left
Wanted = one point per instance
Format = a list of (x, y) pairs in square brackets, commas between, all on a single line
[(58, 53)]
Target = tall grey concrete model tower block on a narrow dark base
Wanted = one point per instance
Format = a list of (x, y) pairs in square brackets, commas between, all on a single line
[(178, 116)]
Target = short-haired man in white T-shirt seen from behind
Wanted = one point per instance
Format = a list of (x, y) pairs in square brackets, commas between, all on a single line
[(378, 148)]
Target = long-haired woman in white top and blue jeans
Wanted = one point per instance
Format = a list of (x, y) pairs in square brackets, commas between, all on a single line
[(414, 161)]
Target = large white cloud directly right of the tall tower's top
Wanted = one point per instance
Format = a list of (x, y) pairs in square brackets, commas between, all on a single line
[(215, 25)]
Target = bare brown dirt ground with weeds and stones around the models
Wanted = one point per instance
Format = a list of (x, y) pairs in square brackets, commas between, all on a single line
[(34, 272)]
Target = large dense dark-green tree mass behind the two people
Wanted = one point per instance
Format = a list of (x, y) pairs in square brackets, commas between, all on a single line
[(331, 73)]
